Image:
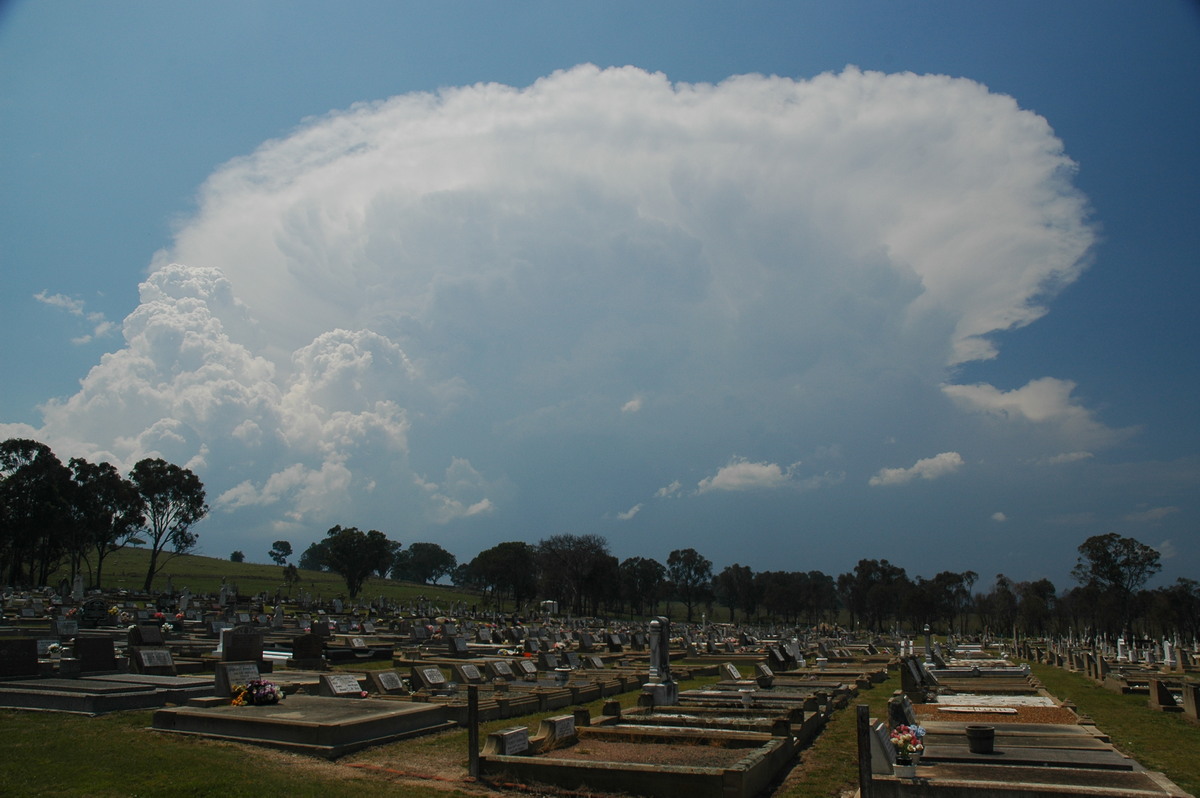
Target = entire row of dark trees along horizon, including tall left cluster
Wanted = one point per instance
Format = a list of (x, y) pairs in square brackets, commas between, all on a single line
[(76, 514)]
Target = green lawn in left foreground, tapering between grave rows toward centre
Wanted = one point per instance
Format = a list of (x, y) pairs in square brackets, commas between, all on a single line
[(52, 754)]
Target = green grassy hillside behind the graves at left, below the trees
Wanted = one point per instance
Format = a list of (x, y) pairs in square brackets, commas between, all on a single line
[(127, 569)]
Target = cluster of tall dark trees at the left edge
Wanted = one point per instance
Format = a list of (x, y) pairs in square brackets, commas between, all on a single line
[(76, 514)]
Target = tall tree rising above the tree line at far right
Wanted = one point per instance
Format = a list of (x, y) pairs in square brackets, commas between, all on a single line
[(1115, 567)]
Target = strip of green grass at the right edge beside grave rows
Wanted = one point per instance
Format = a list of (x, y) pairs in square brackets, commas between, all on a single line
[(1160, 741)]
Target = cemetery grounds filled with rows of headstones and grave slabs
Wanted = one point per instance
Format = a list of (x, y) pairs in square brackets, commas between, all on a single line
[(331, 680)]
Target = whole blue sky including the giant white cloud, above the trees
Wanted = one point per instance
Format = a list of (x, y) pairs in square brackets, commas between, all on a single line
[(925, 296)]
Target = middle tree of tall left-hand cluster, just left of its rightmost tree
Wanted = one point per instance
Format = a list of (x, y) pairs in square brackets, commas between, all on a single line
[(109, 512)]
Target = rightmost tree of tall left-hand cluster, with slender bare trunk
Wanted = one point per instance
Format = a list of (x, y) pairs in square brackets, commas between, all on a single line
[(173, 502)]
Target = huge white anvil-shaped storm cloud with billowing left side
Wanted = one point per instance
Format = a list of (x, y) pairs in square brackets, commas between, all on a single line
[(478, 281)]
